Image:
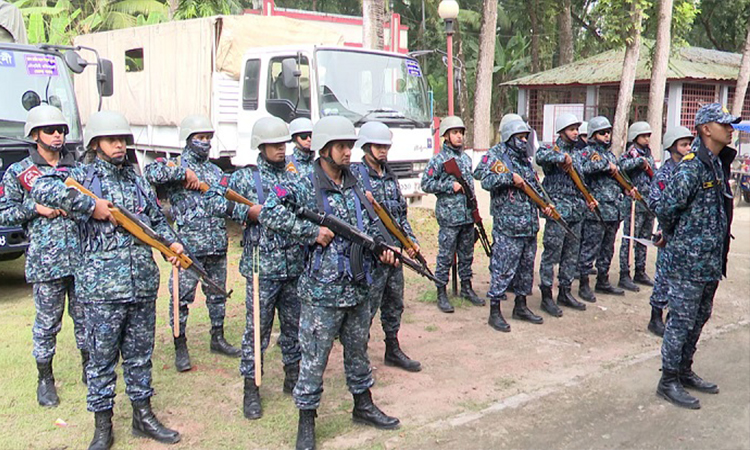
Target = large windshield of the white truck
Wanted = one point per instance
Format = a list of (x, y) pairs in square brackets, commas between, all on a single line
[(369, 86)]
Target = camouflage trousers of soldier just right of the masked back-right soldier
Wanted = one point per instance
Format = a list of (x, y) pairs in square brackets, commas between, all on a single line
[(560, 249)]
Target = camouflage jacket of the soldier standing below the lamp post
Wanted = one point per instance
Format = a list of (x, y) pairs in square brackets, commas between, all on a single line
[(450, 209)]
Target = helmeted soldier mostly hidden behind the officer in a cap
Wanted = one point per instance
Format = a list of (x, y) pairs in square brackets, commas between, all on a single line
[(676, 144)]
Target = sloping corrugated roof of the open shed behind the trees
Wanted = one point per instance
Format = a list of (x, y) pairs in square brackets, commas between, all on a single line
[(684, 63)]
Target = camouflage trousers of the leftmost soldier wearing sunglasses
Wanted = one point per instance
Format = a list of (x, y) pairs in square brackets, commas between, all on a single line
[(49, 301)]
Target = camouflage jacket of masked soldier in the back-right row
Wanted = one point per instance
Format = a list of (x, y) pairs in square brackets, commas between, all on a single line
[(513, 212)]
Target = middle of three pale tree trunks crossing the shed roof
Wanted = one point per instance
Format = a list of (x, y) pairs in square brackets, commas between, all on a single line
[(659, 72)]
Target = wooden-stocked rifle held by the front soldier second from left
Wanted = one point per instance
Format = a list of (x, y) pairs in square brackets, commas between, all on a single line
[(133, 225)]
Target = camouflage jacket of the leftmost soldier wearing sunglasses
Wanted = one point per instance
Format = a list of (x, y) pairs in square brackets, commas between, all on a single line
[(54, 247)]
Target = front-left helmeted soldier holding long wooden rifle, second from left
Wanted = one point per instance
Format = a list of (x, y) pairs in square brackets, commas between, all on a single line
[(117, 280)]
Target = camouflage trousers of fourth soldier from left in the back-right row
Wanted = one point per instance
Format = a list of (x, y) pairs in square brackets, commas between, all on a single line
[(597, 244)]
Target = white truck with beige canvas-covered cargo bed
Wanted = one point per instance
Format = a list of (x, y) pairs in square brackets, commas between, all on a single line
[(237, 69)]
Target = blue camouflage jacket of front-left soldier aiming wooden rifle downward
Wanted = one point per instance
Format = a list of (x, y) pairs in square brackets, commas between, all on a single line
[(114, 266)]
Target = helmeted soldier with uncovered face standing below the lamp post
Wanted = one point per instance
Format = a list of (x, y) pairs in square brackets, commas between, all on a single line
[(456, 234)]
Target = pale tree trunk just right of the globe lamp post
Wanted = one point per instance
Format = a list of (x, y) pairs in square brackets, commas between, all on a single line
[(483, 85)]
